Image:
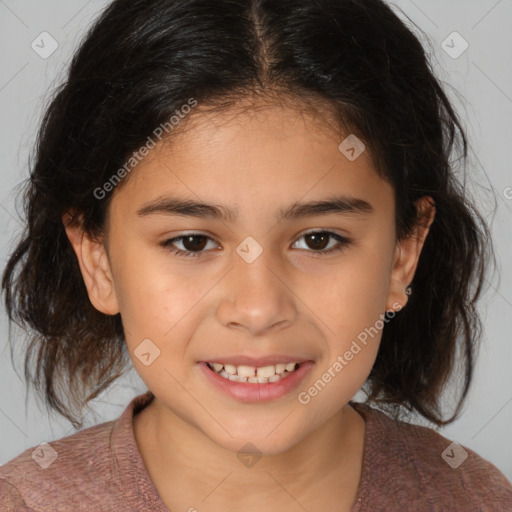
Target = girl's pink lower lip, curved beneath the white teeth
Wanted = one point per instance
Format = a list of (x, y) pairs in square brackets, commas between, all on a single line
[(256, 392)]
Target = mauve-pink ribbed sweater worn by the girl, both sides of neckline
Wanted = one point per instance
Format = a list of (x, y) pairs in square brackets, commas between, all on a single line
[(101, 469)]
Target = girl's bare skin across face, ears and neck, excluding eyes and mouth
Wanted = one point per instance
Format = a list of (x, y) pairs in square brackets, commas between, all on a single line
[(289, 300)]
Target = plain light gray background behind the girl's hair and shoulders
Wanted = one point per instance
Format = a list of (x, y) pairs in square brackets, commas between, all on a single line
[(482, 75)]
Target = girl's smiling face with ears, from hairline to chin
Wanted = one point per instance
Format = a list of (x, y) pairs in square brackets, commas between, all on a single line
[(265, 284)]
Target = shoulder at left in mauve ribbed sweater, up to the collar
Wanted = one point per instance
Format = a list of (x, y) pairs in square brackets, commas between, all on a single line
[(90, 470)]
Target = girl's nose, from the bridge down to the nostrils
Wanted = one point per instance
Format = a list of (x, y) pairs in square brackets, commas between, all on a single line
[(256, 296)]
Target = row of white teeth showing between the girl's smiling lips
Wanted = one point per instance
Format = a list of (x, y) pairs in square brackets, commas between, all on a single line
[(253, 374)]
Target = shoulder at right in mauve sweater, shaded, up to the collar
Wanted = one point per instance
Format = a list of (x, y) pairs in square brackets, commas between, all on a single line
[(423, 469)]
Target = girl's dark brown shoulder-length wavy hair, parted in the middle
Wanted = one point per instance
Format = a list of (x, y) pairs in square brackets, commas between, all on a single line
[(140, 62)]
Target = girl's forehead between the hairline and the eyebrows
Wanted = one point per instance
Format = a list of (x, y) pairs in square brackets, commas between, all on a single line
[(256, 156)]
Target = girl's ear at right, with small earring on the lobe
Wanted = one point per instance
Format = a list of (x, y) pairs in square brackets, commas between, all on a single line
[(407, 255)]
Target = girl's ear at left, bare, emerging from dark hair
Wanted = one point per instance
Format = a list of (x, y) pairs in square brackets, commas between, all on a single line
[(95, 267)]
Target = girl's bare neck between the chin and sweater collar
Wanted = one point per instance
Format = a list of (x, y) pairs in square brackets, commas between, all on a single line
[(325, 465)]
